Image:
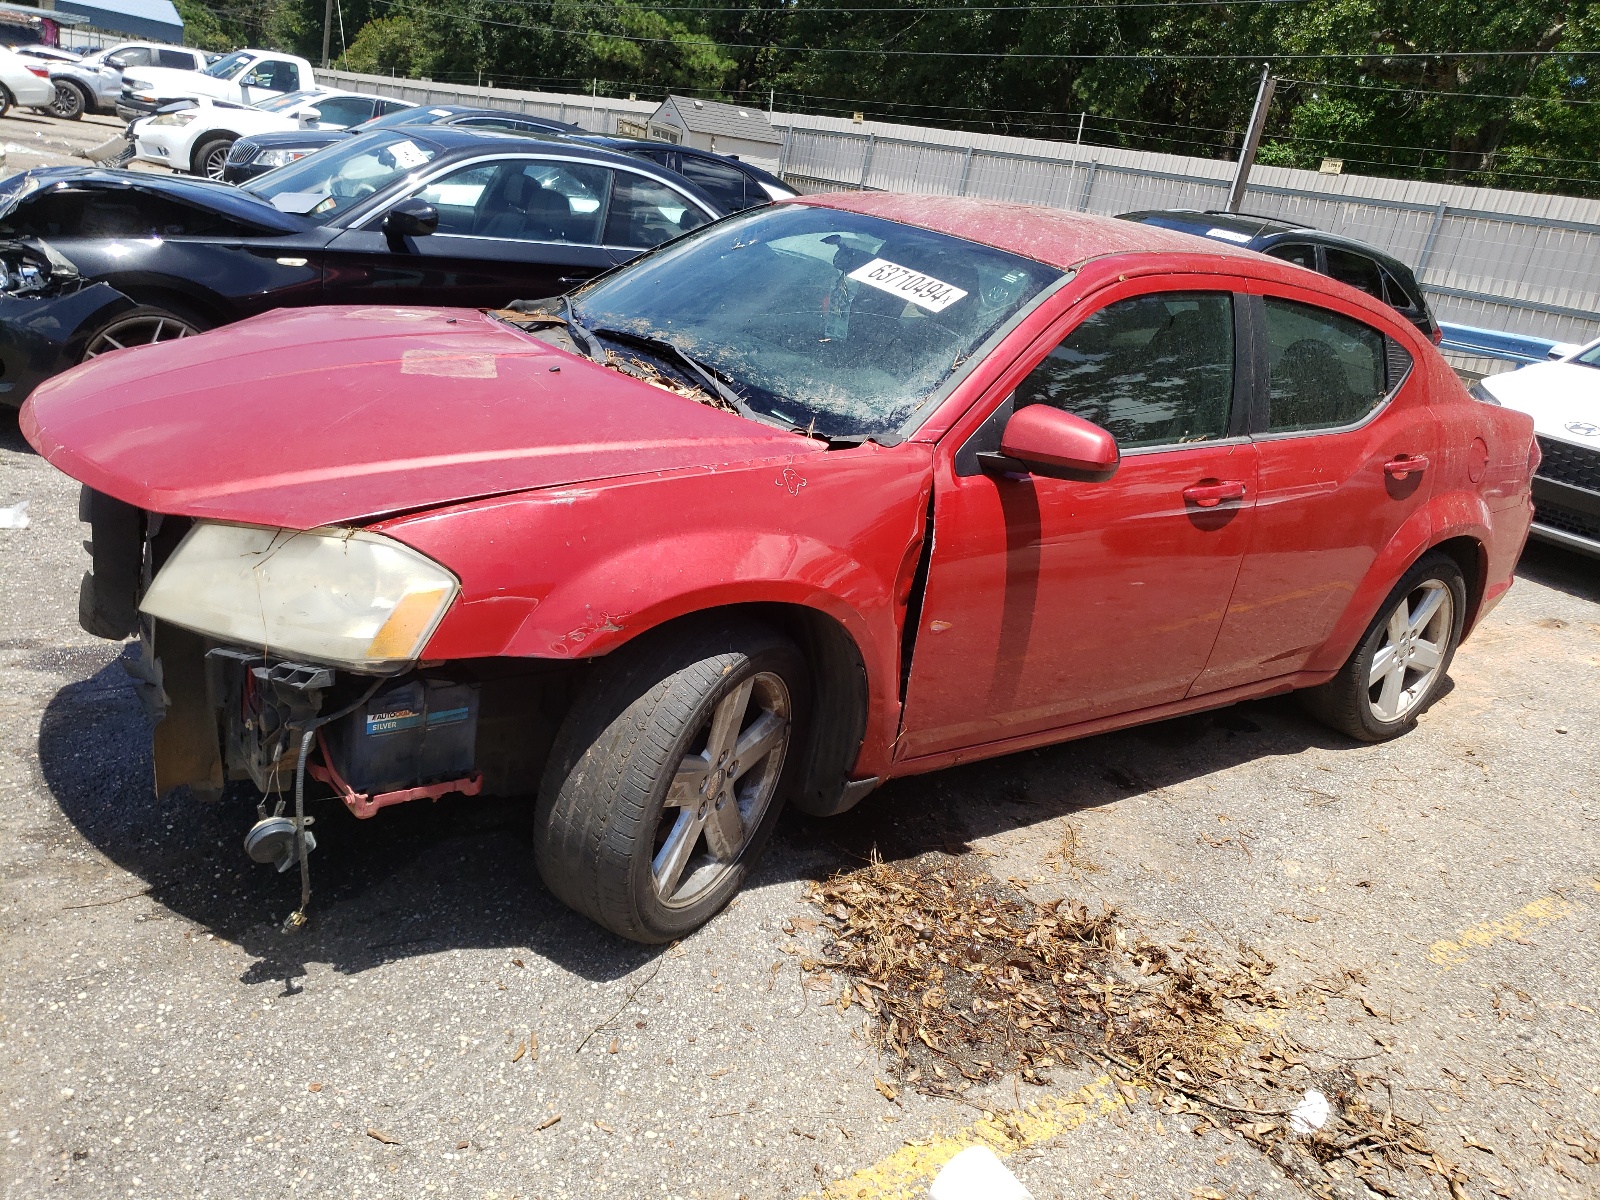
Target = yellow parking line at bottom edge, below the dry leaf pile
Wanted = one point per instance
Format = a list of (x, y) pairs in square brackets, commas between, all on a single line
[(913, 1167)]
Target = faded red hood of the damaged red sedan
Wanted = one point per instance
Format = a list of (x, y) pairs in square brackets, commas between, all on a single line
[(330, 417)]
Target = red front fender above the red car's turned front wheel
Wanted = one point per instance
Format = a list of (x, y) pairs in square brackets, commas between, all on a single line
[(578, 572)]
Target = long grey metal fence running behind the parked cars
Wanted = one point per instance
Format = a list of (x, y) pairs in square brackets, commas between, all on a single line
[(1518, 262)]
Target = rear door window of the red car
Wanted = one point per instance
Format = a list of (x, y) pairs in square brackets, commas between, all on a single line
[(1326, 369)]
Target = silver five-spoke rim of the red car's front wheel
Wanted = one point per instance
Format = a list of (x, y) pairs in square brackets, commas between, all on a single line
[(722, 791)]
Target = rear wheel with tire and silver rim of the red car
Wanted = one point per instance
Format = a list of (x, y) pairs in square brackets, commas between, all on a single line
[(1380, 694)]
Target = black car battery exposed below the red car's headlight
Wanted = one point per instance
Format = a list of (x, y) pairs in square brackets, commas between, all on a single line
[(409, 734)]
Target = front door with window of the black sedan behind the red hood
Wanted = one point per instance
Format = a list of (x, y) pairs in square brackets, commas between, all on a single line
[(508, 230)]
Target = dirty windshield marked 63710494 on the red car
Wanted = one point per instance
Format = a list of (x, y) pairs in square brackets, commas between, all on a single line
[(831, 322)]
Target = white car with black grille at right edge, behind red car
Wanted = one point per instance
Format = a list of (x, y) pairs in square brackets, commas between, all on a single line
[(1564, 401)]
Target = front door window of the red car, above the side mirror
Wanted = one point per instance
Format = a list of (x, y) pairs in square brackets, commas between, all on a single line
[(1153, 370)]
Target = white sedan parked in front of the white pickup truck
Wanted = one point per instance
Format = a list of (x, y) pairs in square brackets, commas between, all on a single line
[(199, 138)]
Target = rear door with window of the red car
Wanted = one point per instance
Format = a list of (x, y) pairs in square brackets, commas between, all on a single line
[(1335, 426)]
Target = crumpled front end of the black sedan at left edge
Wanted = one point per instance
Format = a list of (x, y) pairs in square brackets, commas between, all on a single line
[(47, 316)]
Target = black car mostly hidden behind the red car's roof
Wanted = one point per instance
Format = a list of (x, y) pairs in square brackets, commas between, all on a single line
[(1342, 258)]
